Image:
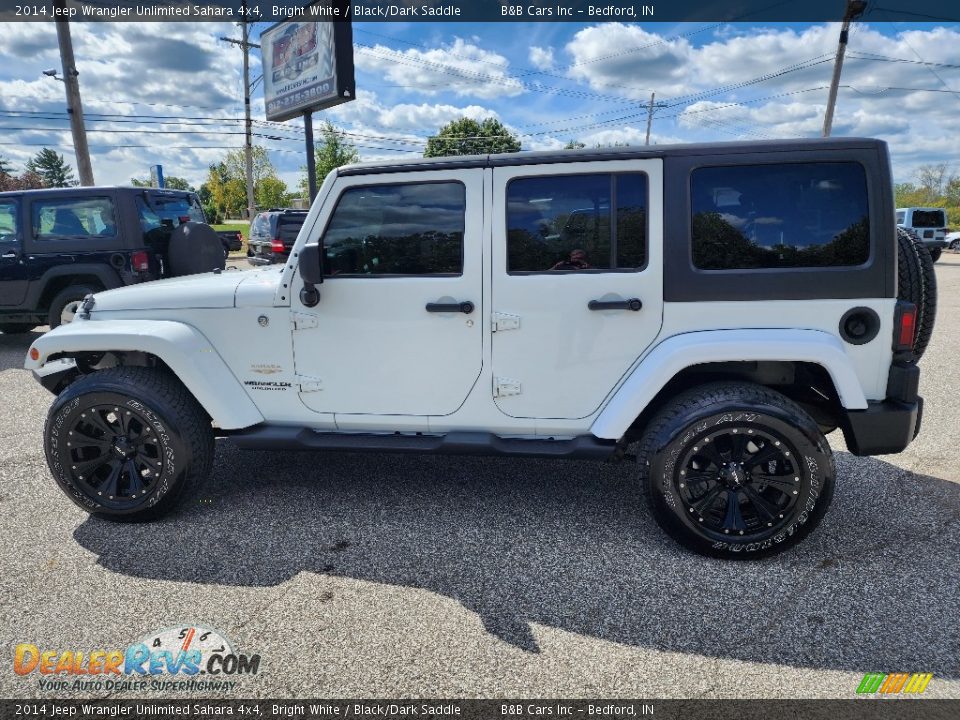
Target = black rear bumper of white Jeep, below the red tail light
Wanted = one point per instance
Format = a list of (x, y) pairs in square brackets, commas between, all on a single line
[(887, 426)]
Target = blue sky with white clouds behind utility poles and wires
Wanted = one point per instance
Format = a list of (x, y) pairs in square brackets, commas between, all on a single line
[(171, 93)]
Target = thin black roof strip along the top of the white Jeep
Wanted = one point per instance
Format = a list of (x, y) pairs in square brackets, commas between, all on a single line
[(543, 157)]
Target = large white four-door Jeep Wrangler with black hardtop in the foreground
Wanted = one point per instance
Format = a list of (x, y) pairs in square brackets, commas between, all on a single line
[(715, 309)]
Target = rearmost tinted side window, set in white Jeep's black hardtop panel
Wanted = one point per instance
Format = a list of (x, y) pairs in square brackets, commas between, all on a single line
[(774, 216)]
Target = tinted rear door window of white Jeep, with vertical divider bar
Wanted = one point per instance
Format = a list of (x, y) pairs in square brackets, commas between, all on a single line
[(557, 223)]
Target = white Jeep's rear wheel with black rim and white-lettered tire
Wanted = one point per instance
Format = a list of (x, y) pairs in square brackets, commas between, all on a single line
[(677, 475)]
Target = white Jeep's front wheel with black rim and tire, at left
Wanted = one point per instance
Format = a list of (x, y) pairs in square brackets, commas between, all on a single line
[(151, 412)]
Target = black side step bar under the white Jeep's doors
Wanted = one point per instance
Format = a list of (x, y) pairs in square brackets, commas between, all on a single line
[(266, 437)]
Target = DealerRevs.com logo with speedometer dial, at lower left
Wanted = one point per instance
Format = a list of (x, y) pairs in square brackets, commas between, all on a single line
[(185, 657)]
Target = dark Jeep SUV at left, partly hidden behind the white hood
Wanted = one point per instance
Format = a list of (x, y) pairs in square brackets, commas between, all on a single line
[(59, 245)]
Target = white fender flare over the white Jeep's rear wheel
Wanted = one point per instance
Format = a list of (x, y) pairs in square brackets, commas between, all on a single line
[(680, 352)]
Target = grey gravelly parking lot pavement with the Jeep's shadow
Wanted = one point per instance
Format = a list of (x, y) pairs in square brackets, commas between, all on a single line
[(374, 576)]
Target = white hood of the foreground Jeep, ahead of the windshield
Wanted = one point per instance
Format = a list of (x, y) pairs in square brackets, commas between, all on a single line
[(208, 290)]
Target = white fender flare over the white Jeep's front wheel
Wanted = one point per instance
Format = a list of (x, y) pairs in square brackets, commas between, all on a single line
[(182, 347)]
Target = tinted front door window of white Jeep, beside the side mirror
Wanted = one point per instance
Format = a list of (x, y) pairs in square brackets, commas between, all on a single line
[(403, 229)]
